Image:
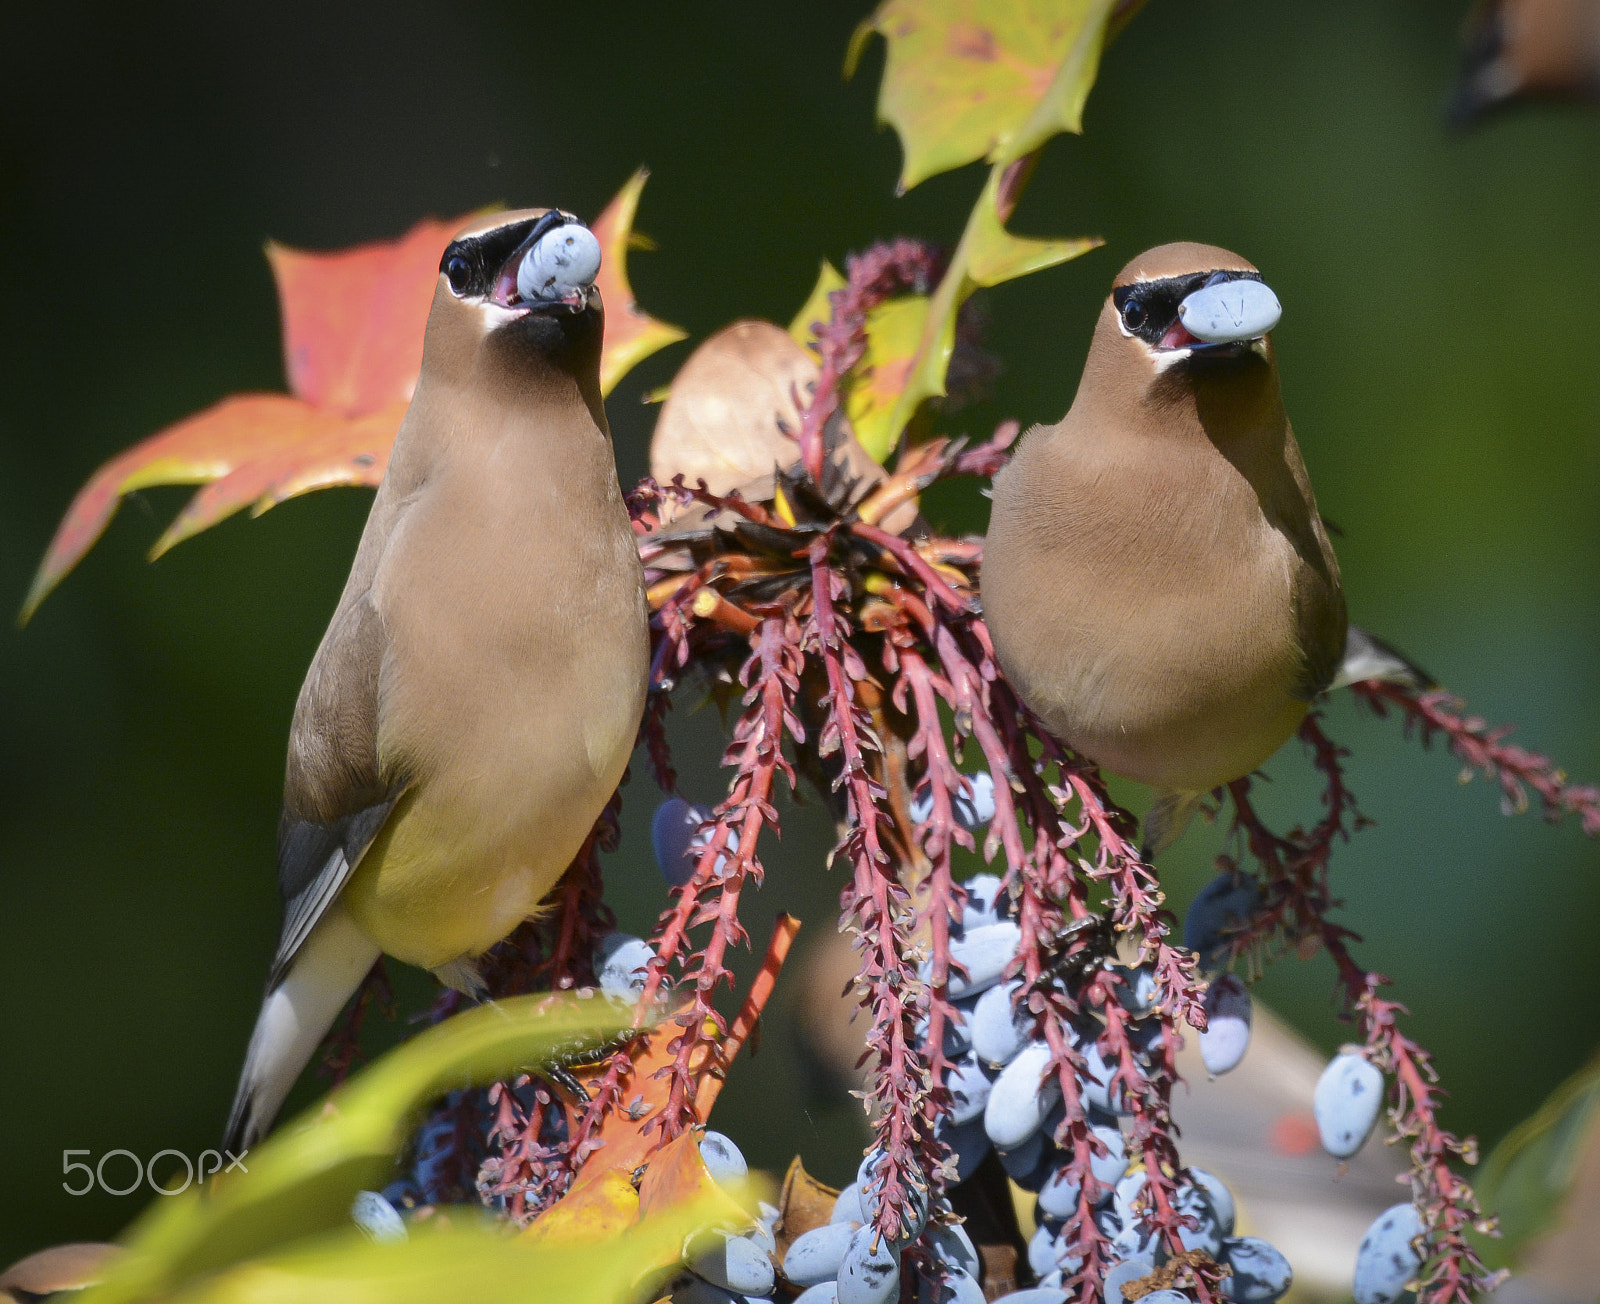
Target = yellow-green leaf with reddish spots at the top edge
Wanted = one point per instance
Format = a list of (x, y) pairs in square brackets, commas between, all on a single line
[(985, 79)]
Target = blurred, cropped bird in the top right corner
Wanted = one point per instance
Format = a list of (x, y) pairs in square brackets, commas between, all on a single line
[(1519, 50)]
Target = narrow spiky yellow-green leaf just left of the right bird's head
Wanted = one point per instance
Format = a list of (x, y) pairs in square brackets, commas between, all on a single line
[(986, 255)]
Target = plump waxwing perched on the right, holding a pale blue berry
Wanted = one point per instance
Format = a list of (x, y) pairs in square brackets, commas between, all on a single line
[(1158, 580)]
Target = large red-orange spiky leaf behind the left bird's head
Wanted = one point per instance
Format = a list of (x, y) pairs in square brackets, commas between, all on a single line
[(353, 350)]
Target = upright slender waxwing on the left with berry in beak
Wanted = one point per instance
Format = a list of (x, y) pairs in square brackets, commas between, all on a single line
[(476, 698)]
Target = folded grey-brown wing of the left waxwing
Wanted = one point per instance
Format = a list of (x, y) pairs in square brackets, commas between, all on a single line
[(335, 798)]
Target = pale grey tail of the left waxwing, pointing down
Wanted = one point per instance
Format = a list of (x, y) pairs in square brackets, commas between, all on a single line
[(295, 1017)]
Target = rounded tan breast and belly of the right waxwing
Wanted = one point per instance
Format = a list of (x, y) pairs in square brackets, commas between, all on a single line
[(1145, 606)]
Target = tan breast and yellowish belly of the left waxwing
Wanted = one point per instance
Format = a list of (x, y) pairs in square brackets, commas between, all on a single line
[(513, 689)]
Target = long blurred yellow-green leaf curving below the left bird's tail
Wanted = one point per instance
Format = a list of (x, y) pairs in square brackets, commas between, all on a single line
[(303, 1180)]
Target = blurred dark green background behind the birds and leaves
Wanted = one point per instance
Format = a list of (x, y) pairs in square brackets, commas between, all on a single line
[(1439, 354)]
